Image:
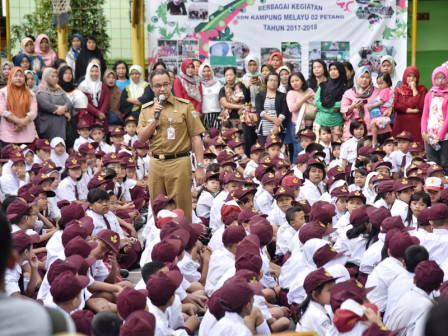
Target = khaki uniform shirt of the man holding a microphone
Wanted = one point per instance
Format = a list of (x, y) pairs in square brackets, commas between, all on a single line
[(181, 116)]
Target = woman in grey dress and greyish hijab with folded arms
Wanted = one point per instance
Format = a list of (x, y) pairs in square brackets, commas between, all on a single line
[(54, 107)]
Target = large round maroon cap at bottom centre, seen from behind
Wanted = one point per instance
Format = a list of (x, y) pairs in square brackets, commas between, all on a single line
[(235, 293)]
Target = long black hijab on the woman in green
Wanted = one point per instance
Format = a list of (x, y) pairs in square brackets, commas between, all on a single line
[(332, 90)]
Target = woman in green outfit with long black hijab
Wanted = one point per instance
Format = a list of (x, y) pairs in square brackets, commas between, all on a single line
[(328, 101)]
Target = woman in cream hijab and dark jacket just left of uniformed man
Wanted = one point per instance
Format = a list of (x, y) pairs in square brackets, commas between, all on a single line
[(137, 93)]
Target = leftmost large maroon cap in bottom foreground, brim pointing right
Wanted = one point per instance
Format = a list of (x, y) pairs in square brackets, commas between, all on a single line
[(67, 286)]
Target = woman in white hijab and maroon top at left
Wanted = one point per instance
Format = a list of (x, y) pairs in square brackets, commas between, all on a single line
[(97, 96)]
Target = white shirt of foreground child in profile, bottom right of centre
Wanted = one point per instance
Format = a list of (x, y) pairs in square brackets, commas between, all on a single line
[(314, 319)]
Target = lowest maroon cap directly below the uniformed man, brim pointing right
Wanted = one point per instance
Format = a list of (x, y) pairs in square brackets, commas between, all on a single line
[(162, 286)]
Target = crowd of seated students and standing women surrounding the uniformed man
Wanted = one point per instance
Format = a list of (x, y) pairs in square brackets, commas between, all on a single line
[(303, 222)]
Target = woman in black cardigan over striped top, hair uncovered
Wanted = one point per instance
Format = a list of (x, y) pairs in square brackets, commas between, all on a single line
[(273, 110)]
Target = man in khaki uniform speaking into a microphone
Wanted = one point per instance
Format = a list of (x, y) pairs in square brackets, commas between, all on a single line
[(173, 129)]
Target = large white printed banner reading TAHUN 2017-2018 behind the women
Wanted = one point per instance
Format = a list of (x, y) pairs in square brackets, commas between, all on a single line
[(225, 32)]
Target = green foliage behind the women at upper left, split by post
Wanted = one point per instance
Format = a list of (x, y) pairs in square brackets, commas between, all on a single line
[(84, 17)]
